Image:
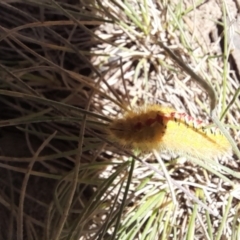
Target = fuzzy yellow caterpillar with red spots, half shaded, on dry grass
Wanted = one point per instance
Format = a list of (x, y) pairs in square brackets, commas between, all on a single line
[(161, 128)]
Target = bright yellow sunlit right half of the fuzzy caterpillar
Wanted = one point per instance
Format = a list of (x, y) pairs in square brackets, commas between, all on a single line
[(193, 141)]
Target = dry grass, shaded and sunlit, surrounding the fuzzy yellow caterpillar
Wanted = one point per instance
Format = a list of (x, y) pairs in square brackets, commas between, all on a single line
[(66, 70)]
